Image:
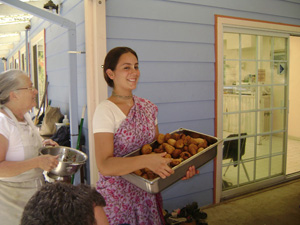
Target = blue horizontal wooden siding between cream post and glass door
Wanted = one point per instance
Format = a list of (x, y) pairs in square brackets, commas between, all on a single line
[(174, 40)]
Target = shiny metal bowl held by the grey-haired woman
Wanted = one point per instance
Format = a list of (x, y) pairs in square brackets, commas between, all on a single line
[(70, 159)]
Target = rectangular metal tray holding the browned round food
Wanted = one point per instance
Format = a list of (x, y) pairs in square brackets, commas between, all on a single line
[(158, 184)]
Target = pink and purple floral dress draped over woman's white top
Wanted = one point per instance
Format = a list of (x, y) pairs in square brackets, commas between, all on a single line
[(125, 202)]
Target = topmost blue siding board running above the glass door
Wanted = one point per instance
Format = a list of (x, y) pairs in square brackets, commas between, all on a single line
[(195, 11)]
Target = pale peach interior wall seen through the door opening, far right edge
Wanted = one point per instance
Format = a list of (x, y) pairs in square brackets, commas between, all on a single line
[(294, 83)]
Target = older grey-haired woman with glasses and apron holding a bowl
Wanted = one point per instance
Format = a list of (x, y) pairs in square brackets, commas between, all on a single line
[(21, 169)]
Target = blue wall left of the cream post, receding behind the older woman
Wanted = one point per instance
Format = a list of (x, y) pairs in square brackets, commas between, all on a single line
[(57, 61)]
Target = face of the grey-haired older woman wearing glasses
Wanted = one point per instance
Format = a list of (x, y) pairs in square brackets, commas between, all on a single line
[(27, 93)]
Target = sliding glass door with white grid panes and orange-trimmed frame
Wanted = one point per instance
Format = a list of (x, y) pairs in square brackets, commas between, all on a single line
[(252, 106)]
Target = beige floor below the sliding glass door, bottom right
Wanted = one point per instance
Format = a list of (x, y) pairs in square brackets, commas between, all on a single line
[(278, 205)]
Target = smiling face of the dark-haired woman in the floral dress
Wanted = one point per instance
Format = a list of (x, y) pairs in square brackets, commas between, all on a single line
[(126, 73)]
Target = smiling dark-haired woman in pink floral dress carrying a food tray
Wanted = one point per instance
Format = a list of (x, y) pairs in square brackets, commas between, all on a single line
[(121, 124)]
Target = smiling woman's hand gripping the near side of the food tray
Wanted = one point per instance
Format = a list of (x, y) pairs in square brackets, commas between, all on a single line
[(159, 164)]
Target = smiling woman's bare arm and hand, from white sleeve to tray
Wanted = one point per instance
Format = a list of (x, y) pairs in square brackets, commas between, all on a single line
[(108, 165)]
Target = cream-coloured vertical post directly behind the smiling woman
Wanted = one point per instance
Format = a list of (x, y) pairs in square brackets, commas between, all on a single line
[(95, 39)]
